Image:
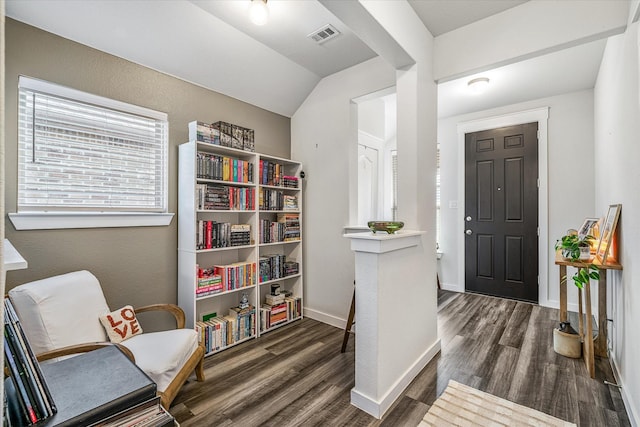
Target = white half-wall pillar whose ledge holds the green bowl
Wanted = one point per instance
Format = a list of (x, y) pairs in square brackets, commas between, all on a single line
[(393, 319)]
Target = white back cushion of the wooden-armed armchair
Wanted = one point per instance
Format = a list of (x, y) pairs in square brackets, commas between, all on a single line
[(61, 311)]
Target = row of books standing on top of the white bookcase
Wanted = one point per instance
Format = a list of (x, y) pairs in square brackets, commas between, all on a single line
[(224, 134)]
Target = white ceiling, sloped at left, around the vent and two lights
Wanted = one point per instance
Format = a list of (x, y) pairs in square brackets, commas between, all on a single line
[(212, 43)]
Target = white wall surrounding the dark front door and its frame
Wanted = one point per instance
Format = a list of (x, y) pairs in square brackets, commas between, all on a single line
[(570, 138)]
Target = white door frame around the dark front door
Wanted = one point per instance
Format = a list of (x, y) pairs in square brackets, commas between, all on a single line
[(541, 116)]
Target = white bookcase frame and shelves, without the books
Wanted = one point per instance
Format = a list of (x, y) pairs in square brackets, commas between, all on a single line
[(189, 256)]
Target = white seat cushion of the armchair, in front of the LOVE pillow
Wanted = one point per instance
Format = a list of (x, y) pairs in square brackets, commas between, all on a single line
[(163, 354)]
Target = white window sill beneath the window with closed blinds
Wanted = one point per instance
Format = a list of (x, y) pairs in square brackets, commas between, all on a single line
[(61, 220)]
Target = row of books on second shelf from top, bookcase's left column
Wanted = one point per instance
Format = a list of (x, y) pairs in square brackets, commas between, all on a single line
[(224, 197)]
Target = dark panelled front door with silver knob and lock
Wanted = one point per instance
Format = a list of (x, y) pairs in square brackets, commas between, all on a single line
[(501, 218)]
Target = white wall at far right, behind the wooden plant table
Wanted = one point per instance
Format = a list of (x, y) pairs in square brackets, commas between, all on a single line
[(617, 129)]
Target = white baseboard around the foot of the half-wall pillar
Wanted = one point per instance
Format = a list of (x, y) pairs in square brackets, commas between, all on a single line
[(378, 408)]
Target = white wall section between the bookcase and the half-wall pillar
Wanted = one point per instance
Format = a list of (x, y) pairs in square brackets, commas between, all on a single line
[(323, 139)]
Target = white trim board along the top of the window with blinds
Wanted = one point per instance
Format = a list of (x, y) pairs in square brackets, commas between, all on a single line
[(89, 98)]
